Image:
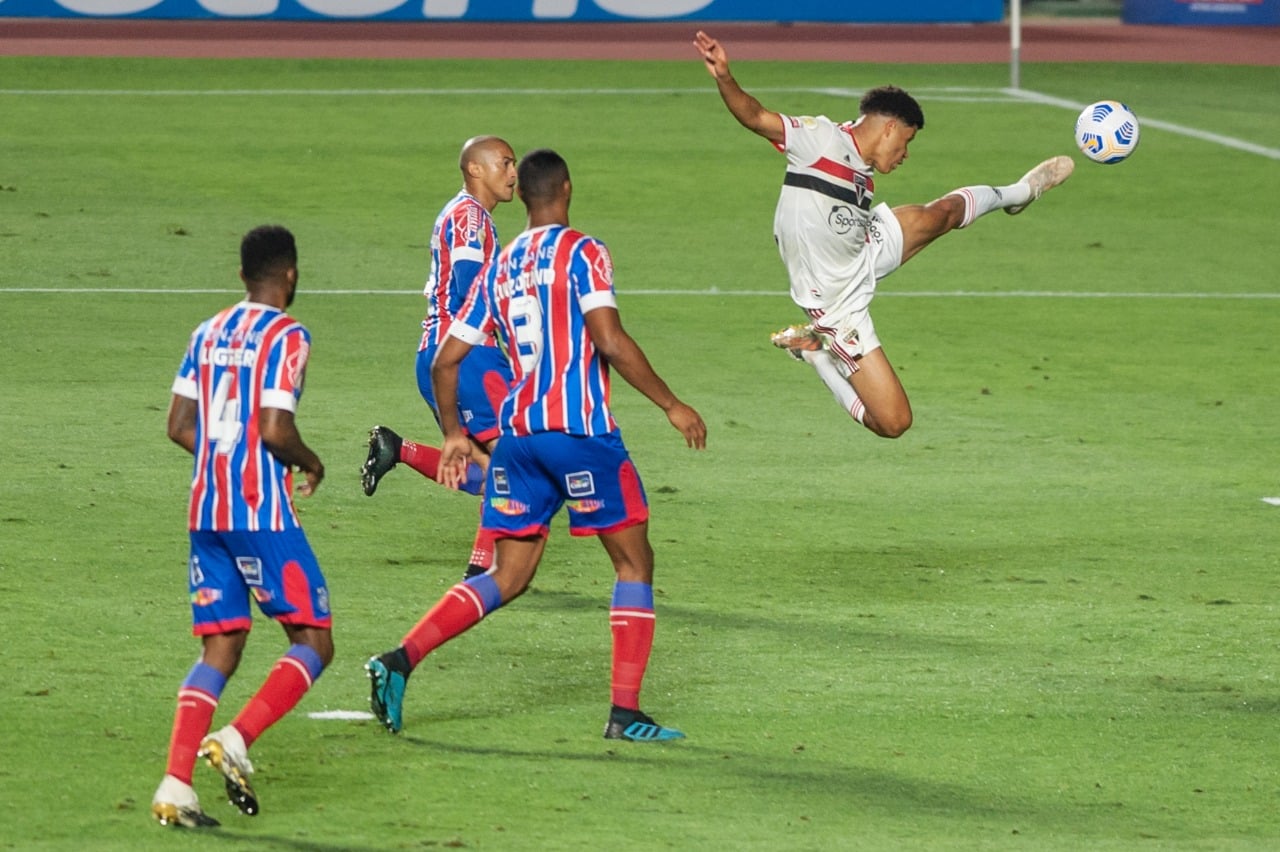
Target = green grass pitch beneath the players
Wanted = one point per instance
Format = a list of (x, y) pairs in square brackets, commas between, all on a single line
[(1045, 620)]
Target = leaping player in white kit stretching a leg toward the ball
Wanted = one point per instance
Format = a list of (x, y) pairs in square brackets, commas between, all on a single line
[(836, 245)]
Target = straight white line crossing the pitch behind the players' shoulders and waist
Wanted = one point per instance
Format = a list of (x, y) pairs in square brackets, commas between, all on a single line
[(711, 291)]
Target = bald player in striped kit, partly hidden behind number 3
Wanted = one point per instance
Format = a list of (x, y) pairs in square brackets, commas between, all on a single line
[(463, 241)]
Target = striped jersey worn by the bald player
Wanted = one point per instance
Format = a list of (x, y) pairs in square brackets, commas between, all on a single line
[(463, 241)]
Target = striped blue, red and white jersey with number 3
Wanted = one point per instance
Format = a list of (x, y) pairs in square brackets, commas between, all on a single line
[(536, 299)]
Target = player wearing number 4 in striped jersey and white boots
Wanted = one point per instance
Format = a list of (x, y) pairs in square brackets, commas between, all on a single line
[(234, 409)]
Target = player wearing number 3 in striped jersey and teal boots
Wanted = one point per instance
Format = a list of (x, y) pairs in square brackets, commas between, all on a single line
[(551, 300)]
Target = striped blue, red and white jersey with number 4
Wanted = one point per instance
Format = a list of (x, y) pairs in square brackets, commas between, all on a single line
[(246, 359)]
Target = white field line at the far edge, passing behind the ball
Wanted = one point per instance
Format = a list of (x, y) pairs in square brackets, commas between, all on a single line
[(954, 94)]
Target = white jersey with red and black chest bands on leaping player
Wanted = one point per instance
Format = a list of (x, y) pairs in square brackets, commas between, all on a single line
[(824, 216)]
